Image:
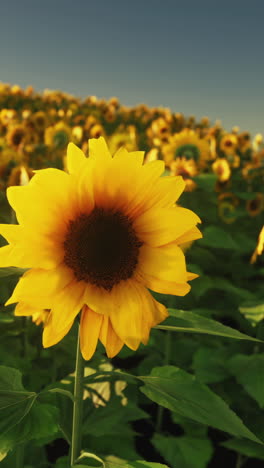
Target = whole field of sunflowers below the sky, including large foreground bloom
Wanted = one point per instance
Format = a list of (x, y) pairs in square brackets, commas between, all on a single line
[(191, 393)]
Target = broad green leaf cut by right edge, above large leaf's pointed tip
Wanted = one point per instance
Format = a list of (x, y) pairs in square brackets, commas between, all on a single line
[(249, 372)]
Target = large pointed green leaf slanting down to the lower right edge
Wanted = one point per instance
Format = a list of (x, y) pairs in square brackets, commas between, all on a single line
[(181, 392)]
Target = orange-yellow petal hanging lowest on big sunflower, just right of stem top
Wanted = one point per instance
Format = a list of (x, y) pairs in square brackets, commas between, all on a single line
[(89, 332)]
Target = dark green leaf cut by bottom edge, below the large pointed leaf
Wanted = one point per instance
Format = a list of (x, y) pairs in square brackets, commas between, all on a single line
[(185, 451)]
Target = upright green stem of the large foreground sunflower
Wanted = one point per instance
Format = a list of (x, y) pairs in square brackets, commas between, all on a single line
[(77, 405)]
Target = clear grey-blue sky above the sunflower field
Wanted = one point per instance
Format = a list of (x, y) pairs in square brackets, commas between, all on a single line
[(196, 57)]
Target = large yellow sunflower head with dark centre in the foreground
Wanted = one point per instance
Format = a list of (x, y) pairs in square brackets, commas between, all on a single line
[(94, 241)]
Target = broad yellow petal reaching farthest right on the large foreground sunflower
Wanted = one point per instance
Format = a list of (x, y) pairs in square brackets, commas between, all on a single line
[(157, 226)]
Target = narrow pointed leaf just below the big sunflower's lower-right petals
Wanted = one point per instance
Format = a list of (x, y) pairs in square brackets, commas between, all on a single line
[(188, 322)]
